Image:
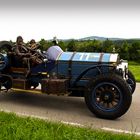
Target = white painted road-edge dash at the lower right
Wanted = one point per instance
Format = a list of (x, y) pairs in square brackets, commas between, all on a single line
[(120, 131)]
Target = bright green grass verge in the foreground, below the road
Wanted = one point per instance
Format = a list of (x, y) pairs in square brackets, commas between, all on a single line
[(13, 127)]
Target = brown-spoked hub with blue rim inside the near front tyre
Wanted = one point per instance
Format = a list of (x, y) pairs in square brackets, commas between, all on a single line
[(107, 96)]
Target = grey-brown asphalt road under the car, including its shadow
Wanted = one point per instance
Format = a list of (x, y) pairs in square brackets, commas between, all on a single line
[(69, 110)]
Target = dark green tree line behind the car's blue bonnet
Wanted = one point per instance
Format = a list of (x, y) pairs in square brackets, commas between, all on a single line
[(127, 49)]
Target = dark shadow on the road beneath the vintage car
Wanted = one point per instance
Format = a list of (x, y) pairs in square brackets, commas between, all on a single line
[(53, 102)]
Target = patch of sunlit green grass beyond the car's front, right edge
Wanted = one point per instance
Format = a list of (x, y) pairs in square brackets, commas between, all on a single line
[(134, 67)]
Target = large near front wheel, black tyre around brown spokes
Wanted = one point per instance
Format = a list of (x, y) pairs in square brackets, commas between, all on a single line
[(108, 96)]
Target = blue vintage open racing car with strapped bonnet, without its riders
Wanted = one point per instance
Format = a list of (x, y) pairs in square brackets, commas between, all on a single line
[(103, 79)]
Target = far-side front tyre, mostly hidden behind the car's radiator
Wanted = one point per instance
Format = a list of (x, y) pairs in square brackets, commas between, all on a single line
[(131, 81)]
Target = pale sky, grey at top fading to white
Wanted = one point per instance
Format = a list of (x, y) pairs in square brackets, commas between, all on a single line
[(69, 19)]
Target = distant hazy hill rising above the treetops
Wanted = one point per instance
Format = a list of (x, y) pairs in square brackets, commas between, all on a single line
[(100, 38)]
